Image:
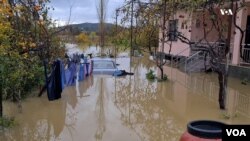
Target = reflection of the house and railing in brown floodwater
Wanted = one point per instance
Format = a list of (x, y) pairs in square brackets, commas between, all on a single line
[(206, 85)]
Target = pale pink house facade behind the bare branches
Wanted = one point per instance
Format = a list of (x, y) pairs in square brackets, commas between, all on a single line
[(191, 26)]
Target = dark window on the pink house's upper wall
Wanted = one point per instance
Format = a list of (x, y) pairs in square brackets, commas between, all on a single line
[(172, 35)]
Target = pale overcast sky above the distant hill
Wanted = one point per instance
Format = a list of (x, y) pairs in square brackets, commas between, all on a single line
[(82, 10)]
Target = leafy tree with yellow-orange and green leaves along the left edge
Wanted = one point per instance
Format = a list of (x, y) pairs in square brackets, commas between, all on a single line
[(24, 44)]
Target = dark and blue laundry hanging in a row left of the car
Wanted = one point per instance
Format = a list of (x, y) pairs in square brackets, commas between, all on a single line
[(60, 77)]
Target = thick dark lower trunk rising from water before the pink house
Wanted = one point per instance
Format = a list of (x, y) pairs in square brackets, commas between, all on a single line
[(223, 89)]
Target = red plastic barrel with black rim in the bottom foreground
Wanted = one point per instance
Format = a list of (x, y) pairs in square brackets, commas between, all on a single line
[(203, 130)]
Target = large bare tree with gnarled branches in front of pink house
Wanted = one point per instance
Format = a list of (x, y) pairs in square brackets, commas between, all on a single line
[(219, 49)]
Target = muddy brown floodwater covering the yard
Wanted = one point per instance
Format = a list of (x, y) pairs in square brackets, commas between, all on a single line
[(129, 108)]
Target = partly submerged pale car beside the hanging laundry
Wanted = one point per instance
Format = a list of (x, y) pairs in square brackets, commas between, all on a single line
[(104, 66)]
